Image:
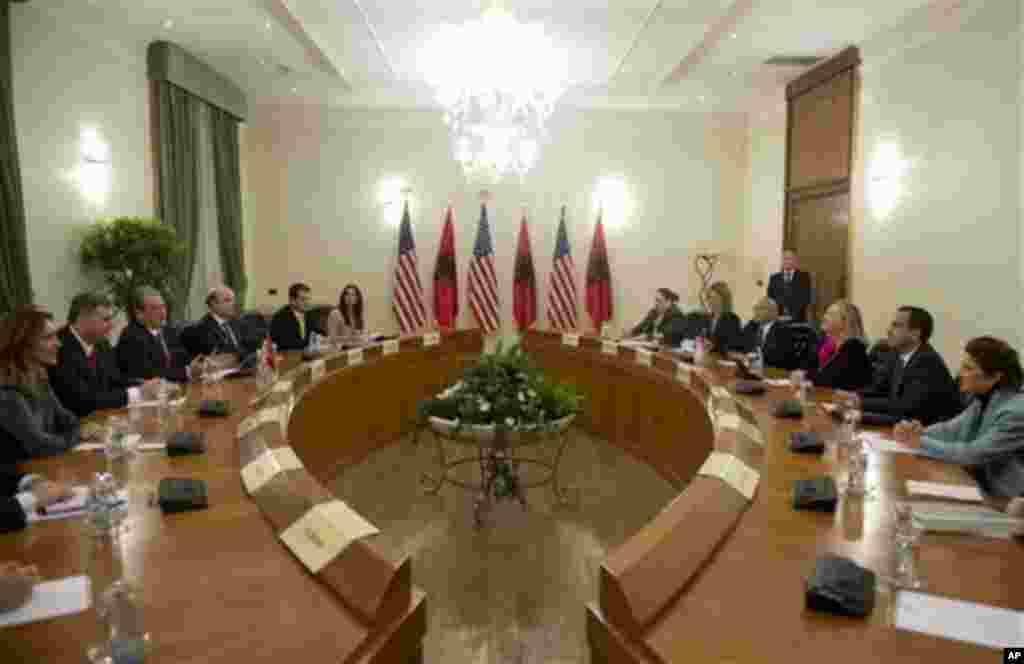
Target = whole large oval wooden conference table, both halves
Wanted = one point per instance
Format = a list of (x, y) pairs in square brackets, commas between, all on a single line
[(716, 576)]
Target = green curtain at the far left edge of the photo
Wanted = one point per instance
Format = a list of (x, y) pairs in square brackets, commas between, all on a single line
[(16, 280)]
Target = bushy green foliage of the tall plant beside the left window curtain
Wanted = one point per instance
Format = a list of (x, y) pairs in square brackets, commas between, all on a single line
[(133, 253)]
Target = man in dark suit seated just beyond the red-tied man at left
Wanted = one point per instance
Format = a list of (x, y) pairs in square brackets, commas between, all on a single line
[(149, 349)]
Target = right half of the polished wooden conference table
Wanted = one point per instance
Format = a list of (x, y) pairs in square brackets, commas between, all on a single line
[(718, 578)]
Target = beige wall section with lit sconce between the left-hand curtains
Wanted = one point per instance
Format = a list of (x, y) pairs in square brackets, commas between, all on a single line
[(69, 77)]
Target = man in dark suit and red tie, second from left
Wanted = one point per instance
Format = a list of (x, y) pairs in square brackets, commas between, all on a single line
[(87, 378)]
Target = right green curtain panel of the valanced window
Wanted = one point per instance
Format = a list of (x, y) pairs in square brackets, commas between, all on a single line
[(228, 182)]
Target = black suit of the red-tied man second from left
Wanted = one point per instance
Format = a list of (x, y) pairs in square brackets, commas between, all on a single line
[(82, 388)]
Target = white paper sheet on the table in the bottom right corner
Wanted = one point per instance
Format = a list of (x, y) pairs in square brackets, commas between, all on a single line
[(959, 620)]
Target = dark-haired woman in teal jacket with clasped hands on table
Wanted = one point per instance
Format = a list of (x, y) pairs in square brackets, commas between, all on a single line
[(988, 438)]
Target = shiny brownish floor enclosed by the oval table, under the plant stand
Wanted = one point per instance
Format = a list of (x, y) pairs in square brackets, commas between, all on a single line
[(515, 591)]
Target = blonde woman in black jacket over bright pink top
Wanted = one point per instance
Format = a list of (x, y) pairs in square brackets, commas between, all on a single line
[(849, 367)]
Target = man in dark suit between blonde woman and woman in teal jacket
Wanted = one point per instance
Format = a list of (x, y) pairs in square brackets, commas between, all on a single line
[(916, 384)]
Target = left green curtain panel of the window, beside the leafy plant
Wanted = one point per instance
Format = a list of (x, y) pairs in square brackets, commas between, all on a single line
[(178, 119)]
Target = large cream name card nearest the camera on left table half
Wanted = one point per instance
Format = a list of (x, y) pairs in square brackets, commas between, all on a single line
[(324, 532)]
